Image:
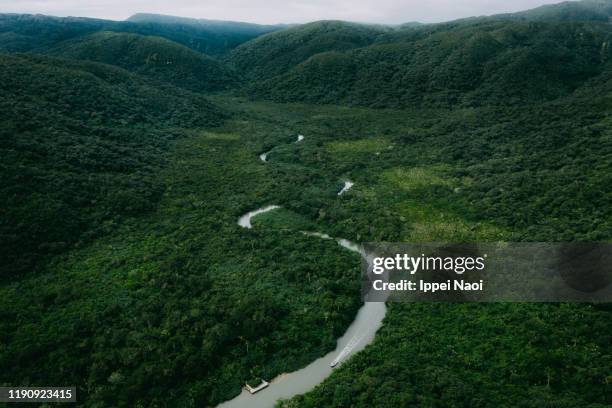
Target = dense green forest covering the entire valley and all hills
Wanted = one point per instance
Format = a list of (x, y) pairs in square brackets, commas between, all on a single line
[(130, 149)]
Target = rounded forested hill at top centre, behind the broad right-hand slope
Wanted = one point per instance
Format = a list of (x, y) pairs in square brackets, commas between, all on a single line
[(278, 52)]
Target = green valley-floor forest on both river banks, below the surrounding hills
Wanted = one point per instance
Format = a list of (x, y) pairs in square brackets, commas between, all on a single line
[(182, 291)]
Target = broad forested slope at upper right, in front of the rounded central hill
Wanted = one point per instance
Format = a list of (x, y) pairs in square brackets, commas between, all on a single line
[(497, 62)]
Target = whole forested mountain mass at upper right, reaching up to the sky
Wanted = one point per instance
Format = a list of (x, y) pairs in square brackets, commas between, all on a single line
[(509, 59)]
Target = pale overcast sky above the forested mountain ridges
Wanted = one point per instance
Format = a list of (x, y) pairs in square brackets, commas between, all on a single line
[(277, 11)]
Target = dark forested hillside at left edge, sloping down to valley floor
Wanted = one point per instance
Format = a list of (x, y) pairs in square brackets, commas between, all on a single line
[(81, 144)]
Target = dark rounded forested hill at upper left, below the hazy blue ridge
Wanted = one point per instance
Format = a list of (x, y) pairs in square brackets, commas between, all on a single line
[(152, 57)]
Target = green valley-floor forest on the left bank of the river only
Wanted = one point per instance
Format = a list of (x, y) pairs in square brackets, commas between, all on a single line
[(181, 306)]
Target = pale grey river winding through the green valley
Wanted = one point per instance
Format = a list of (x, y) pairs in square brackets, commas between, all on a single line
[(358, 335)]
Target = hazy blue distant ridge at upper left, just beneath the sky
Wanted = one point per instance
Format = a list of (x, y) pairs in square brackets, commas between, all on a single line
[(25, 32)]
